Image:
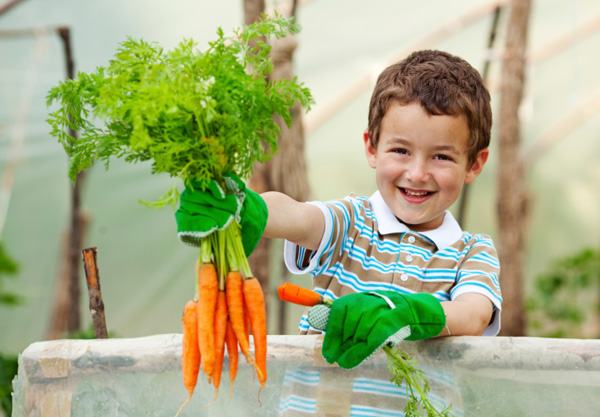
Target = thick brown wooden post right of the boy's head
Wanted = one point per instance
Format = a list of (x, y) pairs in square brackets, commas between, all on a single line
[(512, 193)]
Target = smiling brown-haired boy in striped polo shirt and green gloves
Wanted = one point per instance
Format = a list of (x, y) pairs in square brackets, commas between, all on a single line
[(397, 258)]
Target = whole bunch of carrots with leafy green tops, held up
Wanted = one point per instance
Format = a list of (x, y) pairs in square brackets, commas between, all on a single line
[(193, 115)]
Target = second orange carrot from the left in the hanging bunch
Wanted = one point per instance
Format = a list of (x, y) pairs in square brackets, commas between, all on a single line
[(207, 294)]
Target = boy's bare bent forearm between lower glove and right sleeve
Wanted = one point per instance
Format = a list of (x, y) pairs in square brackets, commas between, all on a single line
[(468, 315)]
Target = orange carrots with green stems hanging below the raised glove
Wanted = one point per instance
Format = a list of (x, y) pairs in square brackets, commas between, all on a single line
[(228, 305)]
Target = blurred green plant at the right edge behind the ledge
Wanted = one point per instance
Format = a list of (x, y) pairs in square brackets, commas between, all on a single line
[(566, 298)]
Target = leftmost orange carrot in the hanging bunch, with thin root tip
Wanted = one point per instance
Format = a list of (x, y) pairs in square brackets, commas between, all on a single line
[(190, 354)]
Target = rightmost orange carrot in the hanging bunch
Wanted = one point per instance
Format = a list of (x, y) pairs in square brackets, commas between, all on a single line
[(255, 300)]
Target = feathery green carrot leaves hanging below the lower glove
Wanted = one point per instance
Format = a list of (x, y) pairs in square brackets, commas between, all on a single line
[(405, 370)]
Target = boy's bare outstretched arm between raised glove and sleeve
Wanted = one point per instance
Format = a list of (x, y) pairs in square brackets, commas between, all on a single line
[(297, 222)]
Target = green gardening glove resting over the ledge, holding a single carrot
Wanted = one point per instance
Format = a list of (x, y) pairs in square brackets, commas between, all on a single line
[(360, 323)]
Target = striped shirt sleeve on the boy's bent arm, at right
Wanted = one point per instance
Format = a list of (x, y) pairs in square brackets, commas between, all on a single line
[(479, 273)]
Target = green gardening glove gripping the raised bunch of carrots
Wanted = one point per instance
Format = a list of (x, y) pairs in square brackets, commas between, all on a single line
[(202, 212)]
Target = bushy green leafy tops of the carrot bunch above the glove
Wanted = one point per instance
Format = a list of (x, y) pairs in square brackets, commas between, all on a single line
[(193, 114)]
